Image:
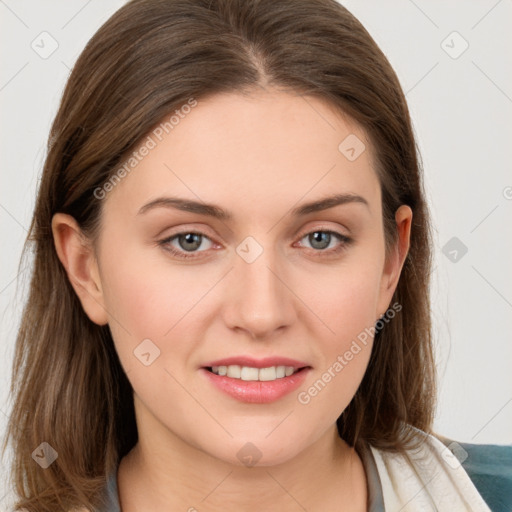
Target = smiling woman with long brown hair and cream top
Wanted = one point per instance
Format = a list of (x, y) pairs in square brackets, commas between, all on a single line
[(230, 301)]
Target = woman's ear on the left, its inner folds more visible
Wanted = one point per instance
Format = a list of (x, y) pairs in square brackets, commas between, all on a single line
[(77, 256)]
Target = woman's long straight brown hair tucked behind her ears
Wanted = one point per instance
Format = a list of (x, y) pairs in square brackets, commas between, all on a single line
[(147, 60)]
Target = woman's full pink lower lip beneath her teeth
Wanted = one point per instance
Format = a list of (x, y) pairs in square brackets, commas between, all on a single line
[(255, 391)]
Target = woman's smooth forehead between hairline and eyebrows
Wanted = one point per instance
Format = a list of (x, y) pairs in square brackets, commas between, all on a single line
[(256, 152)]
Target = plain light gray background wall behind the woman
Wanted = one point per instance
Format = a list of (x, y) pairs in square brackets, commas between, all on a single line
[(462, 115)]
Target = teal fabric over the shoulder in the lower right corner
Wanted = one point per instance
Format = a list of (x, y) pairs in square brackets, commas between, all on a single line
[(490, 468)]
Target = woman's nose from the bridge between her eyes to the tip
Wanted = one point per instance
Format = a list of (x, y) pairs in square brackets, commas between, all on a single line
[(260, 302)]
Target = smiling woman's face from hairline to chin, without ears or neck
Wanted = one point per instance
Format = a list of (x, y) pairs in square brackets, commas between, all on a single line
[(267, 284)]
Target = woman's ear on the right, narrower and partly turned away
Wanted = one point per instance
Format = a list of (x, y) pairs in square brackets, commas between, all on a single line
[(393, 265)]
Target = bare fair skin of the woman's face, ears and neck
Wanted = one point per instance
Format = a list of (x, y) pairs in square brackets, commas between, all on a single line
[(257, 156)]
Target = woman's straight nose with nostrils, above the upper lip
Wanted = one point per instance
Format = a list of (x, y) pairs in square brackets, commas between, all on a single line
[(260, 300)]
